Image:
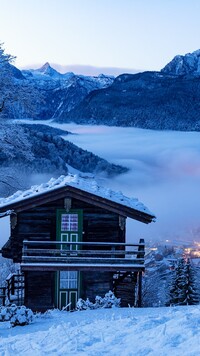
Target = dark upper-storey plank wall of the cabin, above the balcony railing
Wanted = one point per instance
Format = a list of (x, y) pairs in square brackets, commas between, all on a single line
[(39, 223)]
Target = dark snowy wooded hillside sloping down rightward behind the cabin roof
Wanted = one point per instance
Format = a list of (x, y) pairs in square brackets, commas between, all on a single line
[(49, 153)]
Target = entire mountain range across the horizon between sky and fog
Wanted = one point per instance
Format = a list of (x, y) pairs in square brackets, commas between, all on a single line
[(165, 100)]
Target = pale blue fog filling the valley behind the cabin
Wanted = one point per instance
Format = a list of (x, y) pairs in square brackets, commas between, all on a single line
[(164, 175)]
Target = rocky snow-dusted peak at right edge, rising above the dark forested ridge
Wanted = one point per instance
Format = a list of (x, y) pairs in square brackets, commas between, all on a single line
[(184, 65)]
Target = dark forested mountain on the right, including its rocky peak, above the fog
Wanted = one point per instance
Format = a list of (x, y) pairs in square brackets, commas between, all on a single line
[(165, 100)]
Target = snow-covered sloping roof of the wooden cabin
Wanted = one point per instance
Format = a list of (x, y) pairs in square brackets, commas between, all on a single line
[(88, 185)]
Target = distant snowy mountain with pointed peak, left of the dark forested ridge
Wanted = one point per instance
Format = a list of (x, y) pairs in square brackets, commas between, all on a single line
[(62, 92)]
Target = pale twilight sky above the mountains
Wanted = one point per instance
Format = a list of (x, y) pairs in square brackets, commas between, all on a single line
[(127, 34)]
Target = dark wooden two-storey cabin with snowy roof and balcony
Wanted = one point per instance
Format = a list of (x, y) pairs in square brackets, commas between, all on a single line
[(69, 236)]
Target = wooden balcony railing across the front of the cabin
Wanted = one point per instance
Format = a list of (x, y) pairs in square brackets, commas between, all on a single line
[(55, 255)]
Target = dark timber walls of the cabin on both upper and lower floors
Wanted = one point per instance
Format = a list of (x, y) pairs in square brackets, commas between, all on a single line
[(39, 223)]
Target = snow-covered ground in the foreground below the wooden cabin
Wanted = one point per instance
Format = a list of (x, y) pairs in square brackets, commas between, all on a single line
[(171, 331)]
